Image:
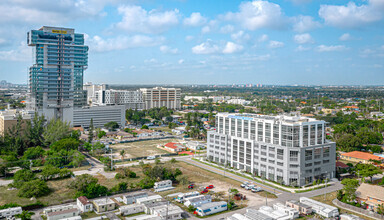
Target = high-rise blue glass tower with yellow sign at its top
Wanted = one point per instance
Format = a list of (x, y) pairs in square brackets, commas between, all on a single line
[(56, 77)]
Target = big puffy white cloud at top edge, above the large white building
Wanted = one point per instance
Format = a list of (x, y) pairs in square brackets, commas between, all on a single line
[(257, 14)]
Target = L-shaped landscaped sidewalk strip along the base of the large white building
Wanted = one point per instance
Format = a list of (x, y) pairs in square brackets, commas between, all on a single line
[(266, 182)]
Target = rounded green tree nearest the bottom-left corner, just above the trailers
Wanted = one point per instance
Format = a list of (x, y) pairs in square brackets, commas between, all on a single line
[(34, 188)]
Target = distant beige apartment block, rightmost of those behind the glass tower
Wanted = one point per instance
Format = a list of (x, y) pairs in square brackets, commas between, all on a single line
[(159, 97)]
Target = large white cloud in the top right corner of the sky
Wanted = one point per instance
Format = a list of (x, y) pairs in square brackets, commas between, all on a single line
[(352, 15)]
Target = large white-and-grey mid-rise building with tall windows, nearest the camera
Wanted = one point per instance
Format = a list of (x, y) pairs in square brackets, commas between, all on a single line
[(286, 149)]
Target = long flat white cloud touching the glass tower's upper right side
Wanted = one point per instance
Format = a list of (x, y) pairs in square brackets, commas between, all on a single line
[(99, 44)]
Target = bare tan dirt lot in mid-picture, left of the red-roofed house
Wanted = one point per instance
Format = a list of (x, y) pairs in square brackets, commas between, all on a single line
[(141, 148)]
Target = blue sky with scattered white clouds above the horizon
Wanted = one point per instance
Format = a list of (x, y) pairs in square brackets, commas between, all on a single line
[(279, 42)]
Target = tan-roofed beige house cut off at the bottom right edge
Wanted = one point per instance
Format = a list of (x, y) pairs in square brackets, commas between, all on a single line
[(371, 195)]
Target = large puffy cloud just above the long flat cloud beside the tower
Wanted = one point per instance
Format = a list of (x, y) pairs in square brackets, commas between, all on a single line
[(137, 19)]
